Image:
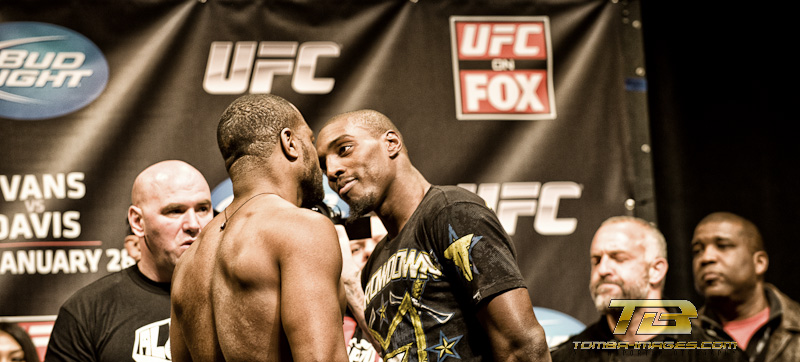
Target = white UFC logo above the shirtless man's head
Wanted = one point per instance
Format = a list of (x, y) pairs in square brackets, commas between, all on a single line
[(254, 66)]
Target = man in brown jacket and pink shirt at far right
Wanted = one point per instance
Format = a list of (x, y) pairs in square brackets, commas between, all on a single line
[(729, 262)]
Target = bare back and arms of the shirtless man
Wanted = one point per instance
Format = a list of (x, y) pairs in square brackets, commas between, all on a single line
[(268, 281)]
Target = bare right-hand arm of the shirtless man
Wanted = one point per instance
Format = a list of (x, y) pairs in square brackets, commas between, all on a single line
[(310, 267)]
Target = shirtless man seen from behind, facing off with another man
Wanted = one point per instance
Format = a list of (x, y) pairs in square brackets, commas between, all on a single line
[(262, 281)]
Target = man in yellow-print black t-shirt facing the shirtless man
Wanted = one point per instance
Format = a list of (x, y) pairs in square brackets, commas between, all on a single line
[(444, 282)]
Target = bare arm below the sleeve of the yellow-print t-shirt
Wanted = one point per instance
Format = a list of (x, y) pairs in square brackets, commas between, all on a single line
[(514, 332)]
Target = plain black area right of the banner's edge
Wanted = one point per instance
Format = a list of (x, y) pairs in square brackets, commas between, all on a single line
[(722, 94)]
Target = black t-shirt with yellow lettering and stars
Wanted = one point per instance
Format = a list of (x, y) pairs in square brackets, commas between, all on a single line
[(423, 288)]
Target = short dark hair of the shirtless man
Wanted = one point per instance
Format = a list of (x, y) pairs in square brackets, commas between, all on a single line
[(251, 126)]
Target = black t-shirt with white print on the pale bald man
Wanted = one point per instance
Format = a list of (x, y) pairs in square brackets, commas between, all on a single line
[(123, 316)]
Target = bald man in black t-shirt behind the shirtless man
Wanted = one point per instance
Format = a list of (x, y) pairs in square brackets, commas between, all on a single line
[(125, 316)]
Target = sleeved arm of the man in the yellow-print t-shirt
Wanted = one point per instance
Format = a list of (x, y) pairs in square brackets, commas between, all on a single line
[(480, 255)]
